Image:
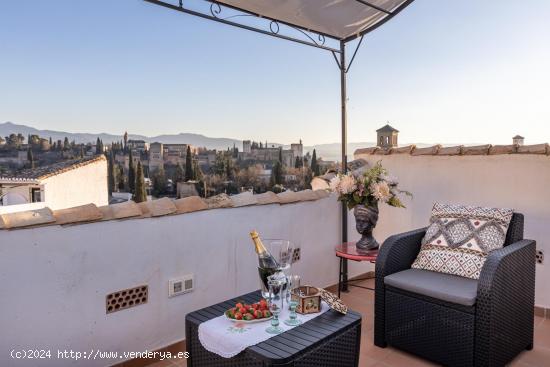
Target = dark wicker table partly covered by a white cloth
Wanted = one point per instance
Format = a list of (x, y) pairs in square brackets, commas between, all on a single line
[(330, 339)]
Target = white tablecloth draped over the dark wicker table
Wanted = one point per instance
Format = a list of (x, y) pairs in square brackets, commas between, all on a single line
[(227, 338)]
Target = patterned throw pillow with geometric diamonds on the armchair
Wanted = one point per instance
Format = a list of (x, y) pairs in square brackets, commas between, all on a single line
[(460, 237)]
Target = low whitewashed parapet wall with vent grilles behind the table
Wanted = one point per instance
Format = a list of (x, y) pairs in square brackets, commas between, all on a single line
[(53, 280)]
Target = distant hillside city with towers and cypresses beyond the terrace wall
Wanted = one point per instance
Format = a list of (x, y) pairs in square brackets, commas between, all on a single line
[(138, 170)]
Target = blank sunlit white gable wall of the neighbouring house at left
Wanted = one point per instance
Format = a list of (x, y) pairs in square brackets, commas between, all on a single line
[(84, 185)]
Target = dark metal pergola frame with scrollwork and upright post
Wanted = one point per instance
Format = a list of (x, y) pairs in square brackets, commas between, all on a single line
[(308, 37)]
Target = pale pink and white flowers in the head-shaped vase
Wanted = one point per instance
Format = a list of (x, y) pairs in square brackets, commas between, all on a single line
[(373, 186)]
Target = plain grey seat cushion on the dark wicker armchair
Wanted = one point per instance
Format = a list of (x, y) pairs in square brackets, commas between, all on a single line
[(446, 287)]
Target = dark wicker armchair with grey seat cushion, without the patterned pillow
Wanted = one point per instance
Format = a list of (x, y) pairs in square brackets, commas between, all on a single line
[(457, 321)]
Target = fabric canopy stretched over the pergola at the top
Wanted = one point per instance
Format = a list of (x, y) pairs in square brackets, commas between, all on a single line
[(339, 19)]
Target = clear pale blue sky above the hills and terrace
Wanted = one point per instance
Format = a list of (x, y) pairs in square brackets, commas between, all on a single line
[(441, 71)]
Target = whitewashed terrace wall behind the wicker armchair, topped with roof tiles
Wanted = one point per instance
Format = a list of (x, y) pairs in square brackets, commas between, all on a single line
[(515, 181)]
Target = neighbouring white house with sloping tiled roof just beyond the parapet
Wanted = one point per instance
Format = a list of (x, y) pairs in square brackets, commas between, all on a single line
[(59, 185)]
